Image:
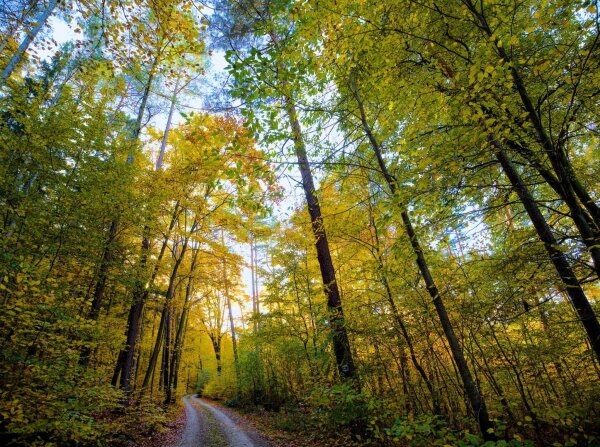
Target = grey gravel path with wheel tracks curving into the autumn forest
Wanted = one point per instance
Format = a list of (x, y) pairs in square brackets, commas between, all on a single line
[(208, 426)]
